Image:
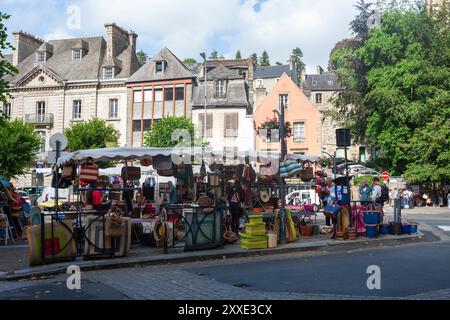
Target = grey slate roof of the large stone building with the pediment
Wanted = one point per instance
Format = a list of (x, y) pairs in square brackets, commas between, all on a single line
[(88, 68)]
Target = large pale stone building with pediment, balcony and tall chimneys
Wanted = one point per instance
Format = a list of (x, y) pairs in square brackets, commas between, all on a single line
[(61, 82)]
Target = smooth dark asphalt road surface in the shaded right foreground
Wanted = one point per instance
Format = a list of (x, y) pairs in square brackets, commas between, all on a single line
[(405, 271)]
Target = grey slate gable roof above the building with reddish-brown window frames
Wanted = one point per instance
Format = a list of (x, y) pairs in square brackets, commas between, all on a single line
[(175, 69)]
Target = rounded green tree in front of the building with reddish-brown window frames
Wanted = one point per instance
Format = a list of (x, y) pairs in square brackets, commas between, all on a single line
[(162, 133)]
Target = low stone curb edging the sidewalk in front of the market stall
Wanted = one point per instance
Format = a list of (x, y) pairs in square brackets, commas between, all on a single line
[(176, 258)]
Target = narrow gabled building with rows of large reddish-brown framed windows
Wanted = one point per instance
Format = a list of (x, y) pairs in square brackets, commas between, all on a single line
[(163, 86)]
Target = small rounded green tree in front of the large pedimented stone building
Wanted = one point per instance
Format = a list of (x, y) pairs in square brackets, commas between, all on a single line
[(92, 134)]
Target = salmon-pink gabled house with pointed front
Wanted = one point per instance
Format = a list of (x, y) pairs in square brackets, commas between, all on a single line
[(303, 116)]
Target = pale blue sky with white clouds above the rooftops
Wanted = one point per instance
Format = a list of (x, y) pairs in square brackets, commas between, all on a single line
[(189, 27)]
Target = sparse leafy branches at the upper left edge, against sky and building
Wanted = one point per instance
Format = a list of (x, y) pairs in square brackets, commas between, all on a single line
[(6, 68)]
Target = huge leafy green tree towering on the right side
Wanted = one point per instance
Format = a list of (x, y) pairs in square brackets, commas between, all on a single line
[(397, 92)]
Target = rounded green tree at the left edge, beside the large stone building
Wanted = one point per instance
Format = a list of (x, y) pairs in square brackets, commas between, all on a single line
[(19, 147)]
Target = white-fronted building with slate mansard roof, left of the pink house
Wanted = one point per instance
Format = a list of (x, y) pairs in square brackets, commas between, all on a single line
[(229, 109)]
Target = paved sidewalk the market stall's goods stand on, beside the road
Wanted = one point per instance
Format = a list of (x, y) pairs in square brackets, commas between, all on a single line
[(140, 256)]
